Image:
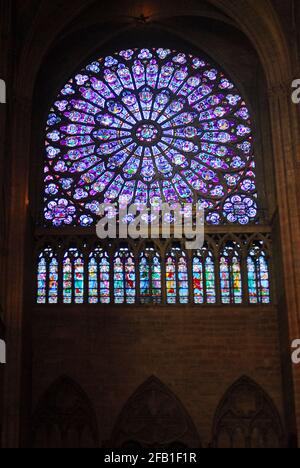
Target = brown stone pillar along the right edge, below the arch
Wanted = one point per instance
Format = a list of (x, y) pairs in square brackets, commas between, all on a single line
[(286, 147)]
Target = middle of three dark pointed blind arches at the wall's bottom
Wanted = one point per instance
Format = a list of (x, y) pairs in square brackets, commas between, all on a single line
[(154, 418)]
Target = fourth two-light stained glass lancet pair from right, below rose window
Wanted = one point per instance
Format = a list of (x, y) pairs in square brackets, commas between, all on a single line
[(177, 277)]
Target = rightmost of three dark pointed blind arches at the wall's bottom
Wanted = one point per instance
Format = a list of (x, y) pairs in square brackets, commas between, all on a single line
[(247, 418)]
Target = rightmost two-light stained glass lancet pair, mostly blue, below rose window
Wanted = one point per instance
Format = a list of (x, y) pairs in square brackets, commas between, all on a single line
[(258, 275)]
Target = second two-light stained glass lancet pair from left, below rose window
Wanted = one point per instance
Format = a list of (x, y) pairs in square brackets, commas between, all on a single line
[(73, 277)]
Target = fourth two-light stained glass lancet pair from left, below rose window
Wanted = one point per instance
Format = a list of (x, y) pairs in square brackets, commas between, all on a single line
[(124, 277)]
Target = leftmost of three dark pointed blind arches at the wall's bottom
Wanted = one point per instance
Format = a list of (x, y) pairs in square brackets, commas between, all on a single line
[(64, 418)]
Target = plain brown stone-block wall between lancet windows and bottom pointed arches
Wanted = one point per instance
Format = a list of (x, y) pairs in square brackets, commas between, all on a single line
[(197, 352)]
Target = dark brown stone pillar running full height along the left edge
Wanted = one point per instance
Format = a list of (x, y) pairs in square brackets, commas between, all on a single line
[(15, 129)]
